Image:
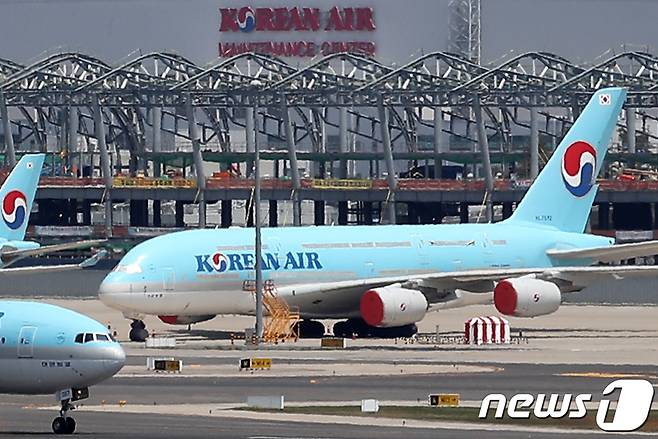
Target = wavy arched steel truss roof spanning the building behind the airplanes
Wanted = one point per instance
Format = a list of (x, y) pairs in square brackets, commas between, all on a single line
[(534, 78)]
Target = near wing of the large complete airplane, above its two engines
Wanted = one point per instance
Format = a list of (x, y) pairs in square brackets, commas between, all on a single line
[(449, 289)]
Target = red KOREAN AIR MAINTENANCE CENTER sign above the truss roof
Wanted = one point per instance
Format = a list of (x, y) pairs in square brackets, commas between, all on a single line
[(248, 20)]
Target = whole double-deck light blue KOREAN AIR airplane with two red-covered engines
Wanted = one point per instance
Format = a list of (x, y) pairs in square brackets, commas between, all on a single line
[(384, 279)]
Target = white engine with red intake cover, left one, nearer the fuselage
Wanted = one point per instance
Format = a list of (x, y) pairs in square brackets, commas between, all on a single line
[(392, 306)]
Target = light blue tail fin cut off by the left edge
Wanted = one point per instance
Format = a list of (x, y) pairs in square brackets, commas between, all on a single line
[(17, 194)]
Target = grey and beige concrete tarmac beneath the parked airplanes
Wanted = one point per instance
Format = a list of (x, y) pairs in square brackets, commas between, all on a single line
[(579, 349)]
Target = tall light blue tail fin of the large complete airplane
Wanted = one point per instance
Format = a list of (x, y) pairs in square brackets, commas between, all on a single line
[(563, 193)]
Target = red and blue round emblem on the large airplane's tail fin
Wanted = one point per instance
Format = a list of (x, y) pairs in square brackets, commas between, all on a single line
[(579, 167)]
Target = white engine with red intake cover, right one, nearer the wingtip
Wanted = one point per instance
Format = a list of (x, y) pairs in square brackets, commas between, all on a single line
[(526, 297)]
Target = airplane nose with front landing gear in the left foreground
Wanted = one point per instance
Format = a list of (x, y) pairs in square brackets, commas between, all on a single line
[(47, 349)]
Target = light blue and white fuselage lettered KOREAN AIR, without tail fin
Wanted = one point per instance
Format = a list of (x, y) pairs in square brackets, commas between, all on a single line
[(214, 264)]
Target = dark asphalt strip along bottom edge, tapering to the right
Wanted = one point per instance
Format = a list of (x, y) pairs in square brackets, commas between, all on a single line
[(26, 423)]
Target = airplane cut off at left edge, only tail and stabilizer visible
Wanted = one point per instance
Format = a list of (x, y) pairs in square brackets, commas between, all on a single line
[(16, 195)]
